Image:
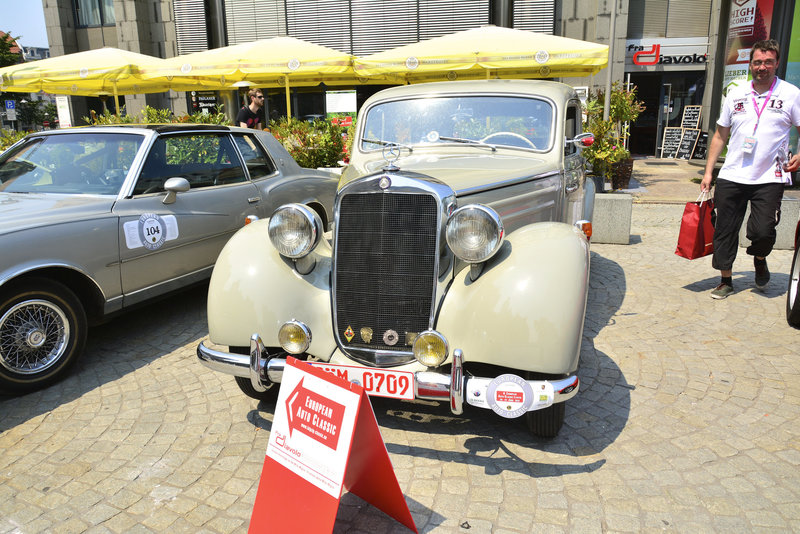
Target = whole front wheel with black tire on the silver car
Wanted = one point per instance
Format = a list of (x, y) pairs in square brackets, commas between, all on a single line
[(42, 333)]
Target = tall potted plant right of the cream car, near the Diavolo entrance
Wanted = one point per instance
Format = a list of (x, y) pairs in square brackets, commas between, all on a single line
[(609, 156)]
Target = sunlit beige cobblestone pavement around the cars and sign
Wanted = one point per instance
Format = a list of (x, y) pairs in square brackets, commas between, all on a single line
[(687, 421)]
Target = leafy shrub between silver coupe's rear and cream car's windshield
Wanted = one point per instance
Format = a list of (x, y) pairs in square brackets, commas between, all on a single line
[(313, 144)]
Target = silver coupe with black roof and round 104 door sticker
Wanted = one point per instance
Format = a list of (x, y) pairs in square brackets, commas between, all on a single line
[(95, 220)]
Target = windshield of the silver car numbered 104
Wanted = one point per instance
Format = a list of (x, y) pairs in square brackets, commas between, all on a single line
[(79, 163)]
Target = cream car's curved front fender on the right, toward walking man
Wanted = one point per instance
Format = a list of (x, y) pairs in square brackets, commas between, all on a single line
[(526, 310)]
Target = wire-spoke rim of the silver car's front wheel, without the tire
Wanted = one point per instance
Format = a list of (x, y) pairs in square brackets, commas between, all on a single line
[(33, 336)]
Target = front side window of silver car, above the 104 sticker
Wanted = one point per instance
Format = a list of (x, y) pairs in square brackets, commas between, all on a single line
[(205, 160)]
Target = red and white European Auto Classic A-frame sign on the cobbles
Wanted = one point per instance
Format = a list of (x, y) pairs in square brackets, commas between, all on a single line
[(324, 437)]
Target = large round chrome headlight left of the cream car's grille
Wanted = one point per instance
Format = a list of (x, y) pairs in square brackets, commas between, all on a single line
[(294, 230)]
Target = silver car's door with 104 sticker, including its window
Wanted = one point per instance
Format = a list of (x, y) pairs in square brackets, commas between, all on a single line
[(166, 244)]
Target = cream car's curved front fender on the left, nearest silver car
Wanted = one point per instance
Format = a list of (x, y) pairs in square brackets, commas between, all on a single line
[(254, 290)]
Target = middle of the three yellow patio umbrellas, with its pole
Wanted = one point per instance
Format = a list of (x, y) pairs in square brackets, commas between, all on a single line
[(275, 62)]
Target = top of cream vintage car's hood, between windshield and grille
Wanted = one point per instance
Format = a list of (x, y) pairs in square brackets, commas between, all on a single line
[(462, 172)]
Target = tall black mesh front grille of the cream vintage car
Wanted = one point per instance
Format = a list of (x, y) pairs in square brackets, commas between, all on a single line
[(385, 276)]
